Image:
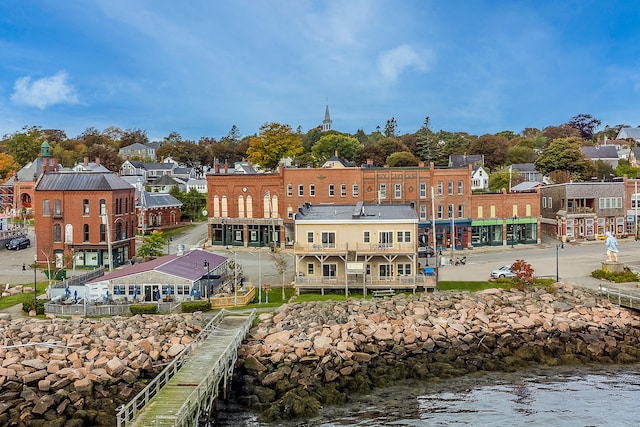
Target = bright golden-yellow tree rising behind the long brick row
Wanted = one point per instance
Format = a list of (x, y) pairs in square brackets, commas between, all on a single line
[(274, 142)]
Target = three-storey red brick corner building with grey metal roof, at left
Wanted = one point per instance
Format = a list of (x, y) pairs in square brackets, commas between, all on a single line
[(80, 217)]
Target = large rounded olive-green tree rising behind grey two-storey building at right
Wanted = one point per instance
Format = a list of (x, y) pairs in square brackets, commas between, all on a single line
[(563, 155)]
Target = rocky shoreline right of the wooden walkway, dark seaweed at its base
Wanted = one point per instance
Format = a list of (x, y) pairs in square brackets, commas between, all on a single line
[(307, 355)]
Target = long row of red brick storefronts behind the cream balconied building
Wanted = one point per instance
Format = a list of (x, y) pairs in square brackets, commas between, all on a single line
[(258, 209)]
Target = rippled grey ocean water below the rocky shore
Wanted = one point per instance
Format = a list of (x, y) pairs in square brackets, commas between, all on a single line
[(582, 396)]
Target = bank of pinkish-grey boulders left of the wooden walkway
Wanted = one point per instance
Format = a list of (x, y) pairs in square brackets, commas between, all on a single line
[(76, 373)]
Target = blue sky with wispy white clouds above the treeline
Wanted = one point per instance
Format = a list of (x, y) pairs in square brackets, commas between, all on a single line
[(198, 67)]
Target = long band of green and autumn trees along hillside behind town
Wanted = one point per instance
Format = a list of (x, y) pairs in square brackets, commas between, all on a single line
[(555, 150)]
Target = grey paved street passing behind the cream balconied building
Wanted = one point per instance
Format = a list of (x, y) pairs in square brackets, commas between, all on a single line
[(575, 261)]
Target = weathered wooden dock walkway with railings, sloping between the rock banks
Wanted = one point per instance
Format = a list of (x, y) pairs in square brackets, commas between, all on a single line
[(187, 388)]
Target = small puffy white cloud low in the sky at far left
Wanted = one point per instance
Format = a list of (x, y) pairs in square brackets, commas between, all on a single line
[(44, 92)]
